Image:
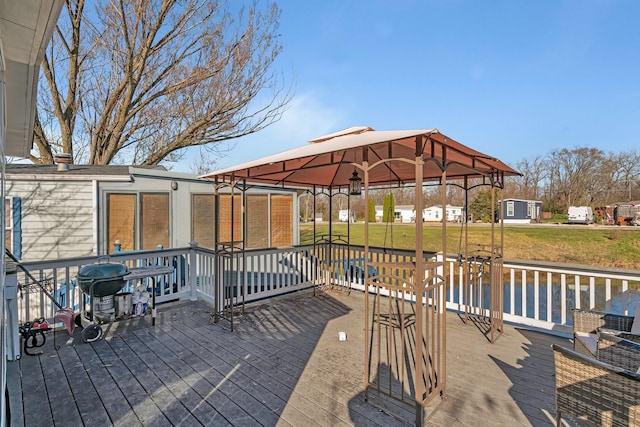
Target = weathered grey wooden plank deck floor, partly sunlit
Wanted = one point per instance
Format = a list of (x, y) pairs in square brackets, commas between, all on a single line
[(282, 365)]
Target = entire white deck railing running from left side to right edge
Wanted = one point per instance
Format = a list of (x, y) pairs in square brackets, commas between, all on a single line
[(535, 294)]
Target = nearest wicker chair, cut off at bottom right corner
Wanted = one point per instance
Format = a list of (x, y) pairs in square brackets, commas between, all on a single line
[(599, 392)]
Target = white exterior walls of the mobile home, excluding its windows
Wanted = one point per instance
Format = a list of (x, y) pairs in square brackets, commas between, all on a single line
[(64, 215)]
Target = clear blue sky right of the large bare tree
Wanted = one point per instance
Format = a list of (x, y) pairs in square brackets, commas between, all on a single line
[(513, 79)]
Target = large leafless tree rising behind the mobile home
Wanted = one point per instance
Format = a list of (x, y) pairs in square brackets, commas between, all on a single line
[(140, 81)]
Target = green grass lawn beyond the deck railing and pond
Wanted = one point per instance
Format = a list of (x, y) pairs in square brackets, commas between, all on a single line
[(604, 246)]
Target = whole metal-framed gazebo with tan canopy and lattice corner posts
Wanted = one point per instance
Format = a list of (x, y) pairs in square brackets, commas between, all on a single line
[(405, 343)]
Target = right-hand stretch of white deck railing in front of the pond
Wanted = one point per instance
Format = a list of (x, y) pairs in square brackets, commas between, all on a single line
[(535, 294)]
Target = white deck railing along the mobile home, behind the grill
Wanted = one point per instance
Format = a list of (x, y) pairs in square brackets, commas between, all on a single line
[(254, 275)]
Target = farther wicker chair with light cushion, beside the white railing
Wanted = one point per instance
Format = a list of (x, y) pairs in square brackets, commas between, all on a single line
[(587, 323)]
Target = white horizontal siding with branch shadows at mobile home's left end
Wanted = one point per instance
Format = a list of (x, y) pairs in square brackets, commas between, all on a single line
[(56, 217)]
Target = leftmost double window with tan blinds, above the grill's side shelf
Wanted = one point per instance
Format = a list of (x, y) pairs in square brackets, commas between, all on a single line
[(138, 221)]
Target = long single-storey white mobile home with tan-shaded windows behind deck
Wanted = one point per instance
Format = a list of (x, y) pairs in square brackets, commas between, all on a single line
[(84, 210)]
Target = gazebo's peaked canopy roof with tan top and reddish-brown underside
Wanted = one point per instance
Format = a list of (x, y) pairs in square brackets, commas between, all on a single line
[(329, 161)]
